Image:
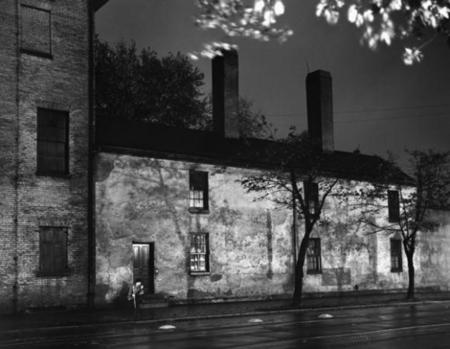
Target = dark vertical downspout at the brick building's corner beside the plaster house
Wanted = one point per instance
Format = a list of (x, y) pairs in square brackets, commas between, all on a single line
[(91, 158)]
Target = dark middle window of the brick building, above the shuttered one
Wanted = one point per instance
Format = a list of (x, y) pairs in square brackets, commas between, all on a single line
[(52, 142)]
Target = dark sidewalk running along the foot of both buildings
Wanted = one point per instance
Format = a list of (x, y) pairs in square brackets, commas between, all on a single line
[(87, 317)]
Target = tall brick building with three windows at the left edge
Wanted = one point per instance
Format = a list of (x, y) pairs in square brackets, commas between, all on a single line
[(44, 145)]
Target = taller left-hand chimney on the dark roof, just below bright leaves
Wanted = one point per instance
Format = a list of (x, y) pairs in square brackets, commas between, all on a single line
[(225, 83)]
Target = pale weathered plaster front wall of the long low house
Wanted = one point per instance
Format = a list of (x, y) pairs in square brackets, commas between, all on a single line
[(145, 200)]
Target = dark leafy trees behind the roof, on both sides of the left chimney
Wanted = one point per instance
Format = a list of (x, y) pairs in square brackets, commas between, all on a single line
[(136, 85)]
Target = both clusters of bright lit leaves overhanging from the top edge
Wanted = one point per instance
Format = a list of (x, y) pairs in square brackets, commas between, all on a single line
[(380, 21)]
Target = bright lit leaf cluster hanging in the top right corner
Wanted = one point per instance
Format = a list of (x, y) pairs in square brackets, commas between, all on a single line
[(383, 21)]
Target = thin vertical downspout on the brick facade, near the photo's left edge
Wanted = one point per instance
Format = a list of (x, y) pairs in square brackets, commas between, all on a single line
[(15, 290)]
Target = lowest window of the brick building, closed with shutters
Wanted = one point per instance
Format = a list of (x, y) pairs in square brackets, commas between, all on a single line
[(63, 268)]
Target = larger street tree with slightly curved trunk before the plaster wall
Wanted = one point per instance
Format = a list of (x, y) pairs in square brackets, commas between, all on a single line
[(295, 182)]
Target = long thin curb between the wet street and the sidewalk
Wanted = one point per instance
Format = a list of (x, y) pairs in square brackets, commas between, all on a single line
[(219, 316)]
